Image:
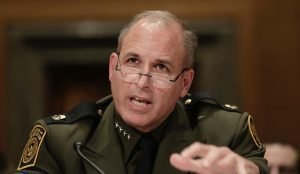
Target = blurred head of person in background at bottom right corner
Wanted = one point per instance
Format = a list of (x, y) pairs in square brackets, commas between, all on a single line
[(283, 158)]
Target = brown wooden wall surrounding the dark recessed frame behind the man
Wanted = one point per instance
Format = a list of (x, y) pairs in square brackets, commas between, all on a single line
[(267, 42)]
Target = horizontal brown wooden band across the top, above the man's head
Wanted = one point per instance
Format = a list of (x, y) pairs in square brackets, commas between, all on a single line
[(117, 9)]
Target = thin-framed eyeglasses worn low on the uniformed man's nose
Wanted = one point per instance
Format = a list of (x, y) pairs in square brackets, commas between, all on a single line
[(158, 80)]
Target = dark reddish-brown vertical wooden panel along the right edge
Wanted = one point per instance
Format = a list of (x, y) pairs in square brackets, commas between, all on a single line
[(277, 43)]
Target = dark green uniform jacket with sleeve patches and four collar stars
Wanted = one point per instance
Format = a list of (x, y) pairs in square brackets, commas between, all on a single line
[(111, 144)]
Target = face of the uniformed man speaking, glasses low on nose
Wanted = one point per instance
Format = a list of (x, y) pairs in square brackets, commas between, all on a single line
[(153, 49)]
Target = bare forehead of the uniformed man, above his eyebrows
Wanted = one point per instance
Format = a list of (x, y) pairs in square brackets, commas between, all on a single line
[(155, 39)]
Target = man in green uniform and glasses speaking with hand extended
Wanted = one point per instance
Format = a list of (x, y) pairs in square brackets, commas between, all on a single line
[(143, 127)]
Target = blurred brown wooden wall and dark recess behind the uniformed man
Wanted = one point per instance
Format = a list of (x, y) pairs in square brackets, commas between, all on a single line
[(54, 54)]
